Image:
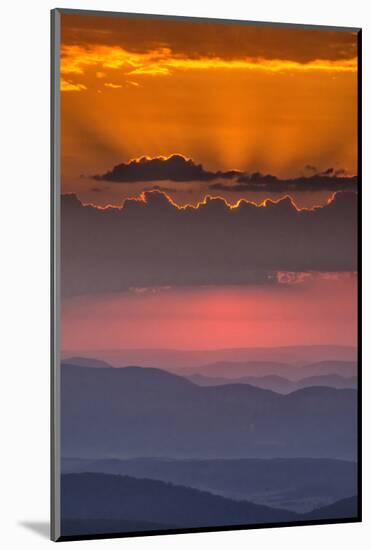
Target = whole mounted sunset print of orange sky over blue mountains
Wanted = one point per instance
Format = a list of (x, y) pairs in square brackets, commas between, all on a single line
[(205, 338)]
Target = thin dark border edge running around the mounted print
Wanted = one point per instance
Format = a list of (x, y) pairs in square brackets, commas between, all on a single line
[(55, 530)]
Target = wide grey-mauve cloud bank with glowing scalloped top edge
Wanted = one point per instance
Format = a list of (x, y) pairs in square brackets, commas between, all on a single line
[(153, 243)]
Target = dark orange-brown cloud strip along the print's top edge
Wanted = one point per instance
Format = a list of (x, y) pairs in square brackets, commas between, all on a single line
[(211, 39)]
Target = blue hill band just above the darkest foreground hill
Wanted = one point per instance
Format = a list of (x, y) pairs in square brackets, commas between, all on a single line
[(297, 484)]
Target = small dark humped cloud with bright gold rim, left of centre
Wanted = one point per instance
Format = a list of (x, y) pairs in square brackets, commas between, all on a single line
[(175, 168)]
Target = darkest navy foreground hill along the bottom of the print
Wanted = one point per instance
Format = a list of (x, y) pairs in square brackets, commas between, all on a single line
[(93, 502)]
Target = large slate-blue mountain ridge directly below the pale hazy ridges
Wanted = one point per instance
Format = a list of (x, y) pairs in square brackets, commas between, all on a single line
[(137, 411)]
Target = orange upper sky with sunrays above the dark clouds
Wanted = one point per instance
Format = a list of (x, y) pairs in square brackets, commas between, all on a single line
[(240, 97)]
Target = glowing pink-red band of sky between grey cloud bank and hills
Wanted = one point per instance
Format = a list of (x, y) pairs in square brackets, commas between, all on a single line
[(216, 317)]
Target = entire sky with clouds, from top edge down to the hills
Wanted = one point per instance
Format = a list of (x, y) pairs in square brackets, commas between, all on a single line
[(209, 174)]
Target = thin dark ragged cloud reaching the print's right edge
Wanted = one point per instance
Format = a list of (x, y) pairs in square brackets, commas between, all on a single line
[(328, 180)]
